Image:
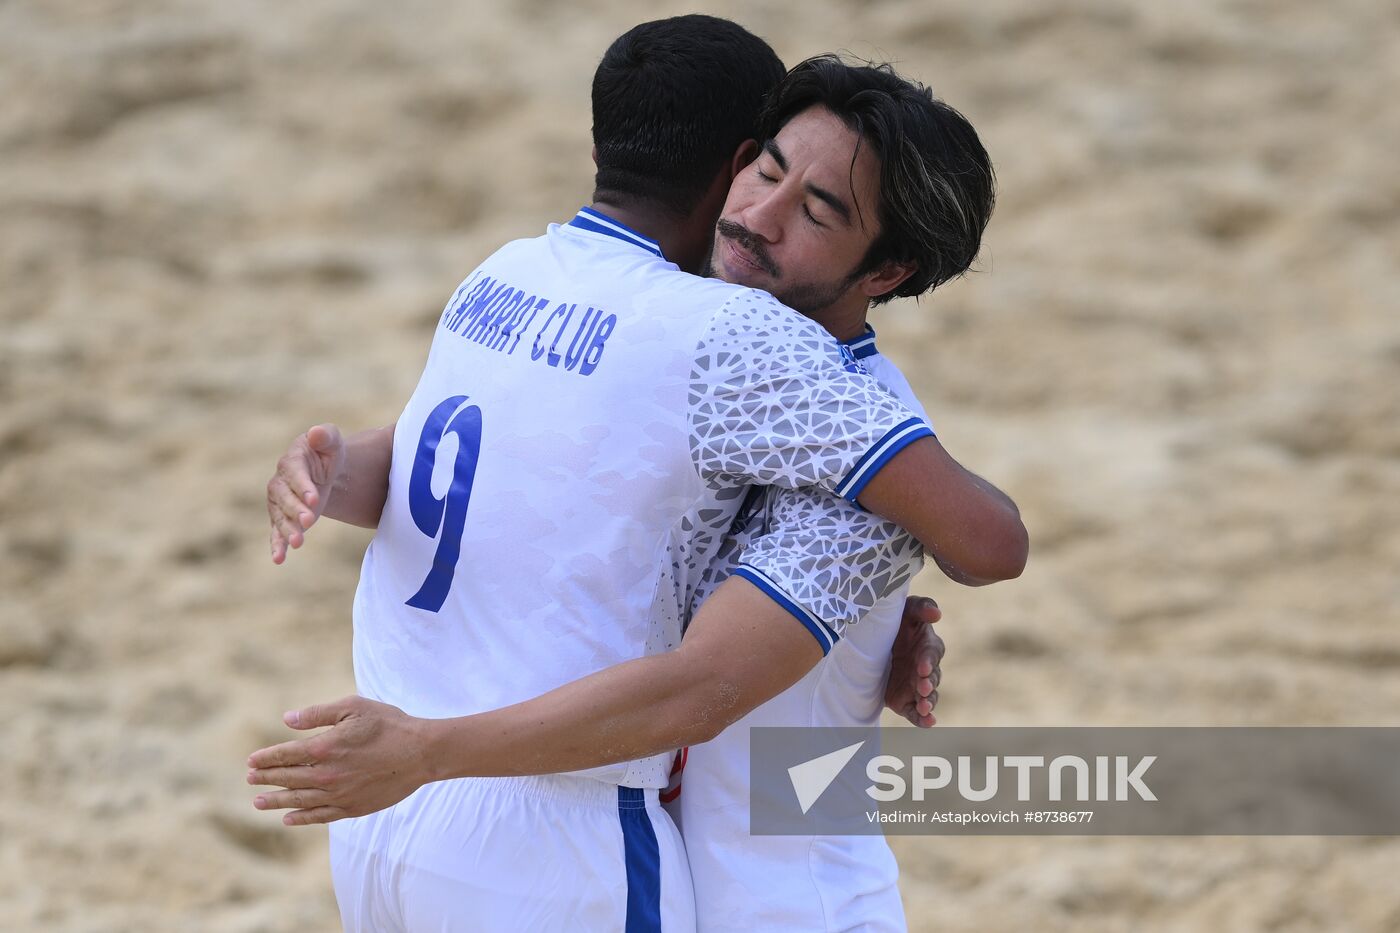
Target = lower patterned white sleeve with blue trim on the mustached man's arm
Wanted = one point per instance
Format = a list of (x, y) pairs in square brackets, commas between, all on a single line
[(825, 561)]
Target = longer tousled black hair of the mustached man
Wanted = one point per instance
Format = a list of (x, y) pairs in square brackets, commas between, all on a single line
[(936, 183)]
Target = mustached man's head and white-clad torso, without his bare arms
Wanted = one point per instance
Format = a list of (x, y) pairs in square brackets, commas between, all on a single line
[(860, 170)]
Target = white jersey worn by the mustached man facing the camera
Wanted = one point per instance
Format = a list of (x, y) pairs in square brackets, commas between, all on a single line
[(866, 565)]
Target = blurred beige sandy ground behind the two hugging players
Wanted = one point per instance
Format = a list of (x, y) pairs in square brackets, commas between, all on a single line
[(220, 223)]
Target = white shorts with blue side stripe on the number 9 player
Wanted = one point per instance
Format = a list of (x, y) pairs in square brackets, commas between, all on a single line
[(514, 854)]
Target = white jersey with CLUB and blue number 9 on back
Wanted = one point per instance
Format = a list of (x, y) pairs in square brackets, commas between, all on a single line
[(580, 441)]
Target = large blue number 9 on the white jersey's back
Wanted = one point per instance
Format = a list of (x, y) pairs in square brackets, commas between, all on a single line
[(447, 515)]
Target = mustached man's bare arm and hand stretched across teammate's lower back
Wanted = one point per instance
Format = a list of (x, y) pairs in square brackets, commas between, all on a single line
[(743, 649)]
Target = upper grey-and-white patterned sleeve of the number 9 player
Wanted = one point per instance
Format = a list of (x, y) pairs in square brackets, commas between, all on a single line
[(775, 400)]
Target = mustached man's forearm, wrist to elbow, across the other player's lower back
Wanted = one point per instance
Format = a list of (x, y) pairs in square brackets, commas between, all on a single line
[(626, 712)]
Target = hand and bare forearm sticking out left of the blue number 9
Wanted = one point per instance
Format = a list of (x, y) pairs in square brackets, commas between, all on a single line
[(345, 480)]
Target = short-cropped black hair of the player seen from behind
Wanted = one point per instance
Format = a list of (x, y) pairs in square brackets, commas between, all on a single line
[(673, 102)]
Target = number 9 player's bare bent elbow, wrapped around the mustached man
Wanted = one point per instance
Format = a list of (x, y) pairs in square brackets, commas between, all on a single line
[(971, 527)]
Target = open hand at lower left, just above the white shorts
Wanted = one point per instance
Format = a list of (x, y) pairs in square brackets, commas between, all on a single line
[(373, 757)]
